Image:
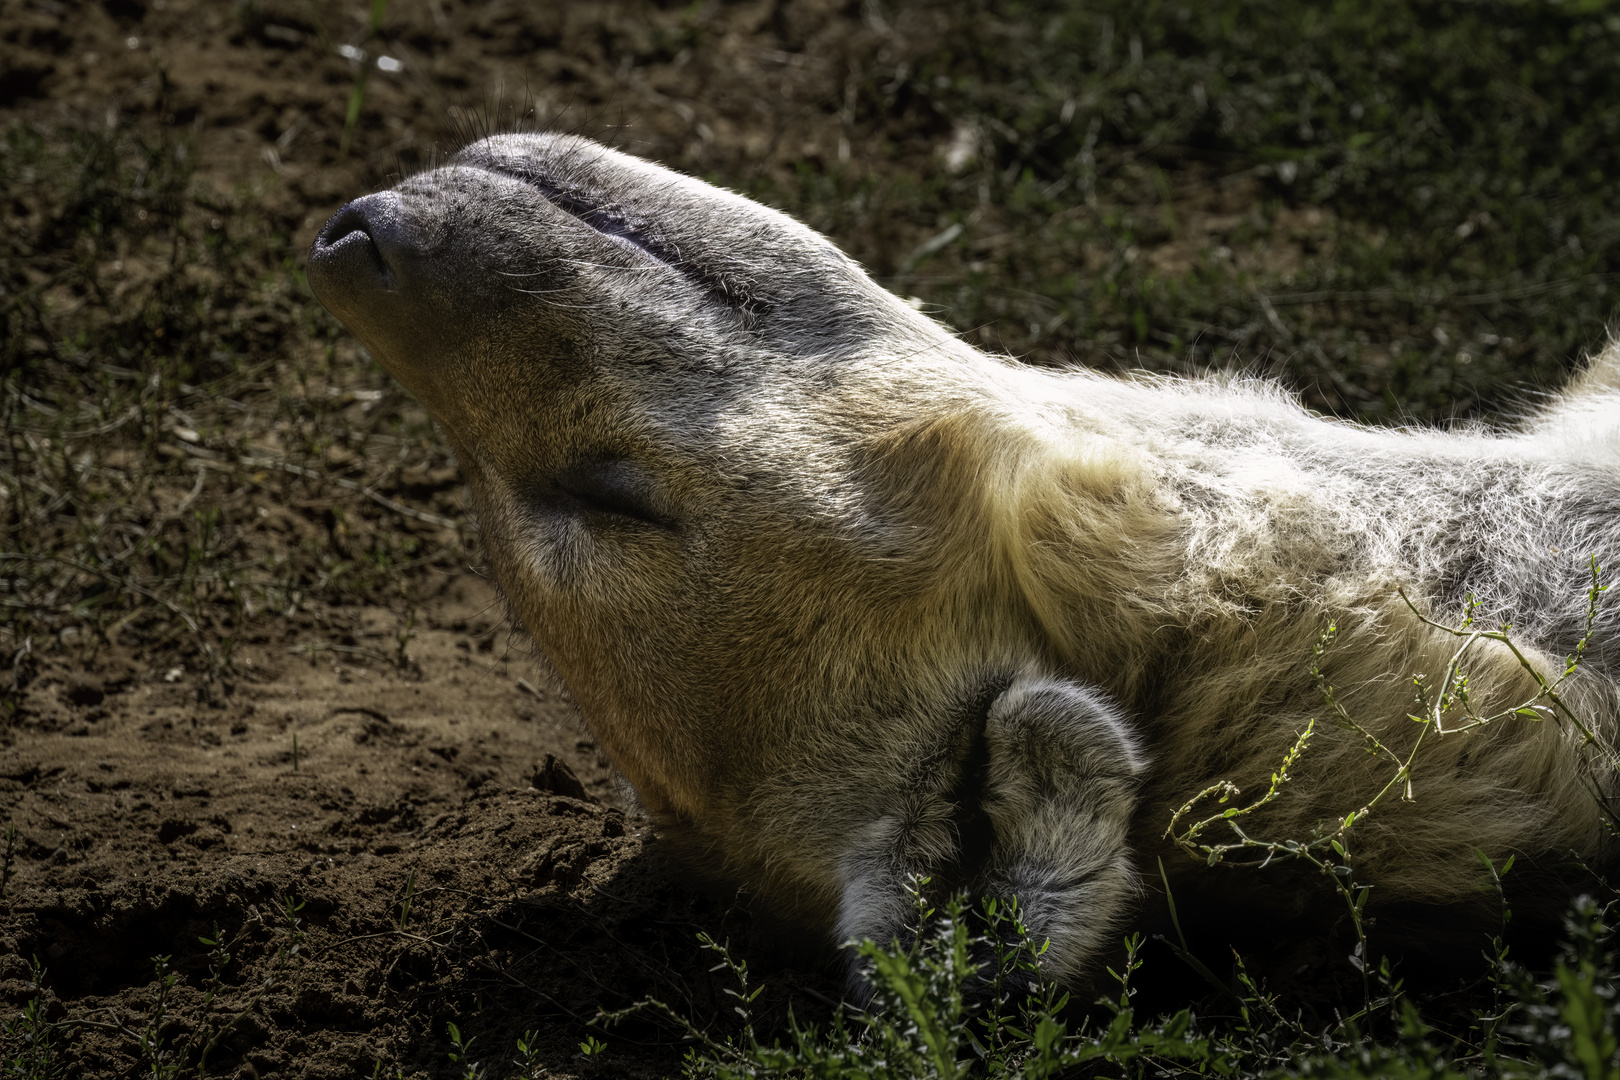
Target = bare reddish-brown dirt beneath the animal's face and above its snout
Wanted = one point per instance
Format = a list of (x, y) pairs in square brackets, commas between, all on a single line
[(378, 820)]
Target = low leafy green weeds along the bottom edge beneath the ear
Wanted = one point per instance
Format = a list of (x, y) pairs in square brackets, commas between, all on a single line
[(942, 1016)]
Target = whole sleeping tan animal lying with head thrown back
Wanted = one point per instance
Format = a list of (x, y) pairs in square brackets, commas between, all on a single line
[(850, 602)]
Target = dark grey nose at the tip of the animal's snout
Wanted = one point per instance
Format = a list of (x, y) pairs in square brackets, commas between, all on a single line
[(351, 258)]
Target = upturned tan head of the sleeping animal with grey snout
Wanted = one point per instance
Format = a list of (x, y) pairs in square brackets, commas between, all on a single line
[(727, 483)]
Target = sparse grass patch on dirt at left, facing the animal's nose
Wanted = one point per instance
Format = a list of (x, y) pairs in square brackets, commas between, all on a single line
[(190, 443)]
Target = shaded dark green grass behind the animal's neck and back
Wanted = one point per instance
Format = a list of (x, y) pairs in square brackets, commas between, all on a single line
[(1405, 210)]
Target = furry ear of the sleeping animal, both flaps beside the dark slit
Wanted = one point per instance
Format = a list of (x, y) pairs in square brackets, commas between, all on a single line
[(1060, 775)]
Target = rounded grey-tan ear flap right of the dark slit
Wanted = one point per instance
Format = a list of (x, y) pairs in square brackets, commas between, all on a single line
[(1062, 788)]
